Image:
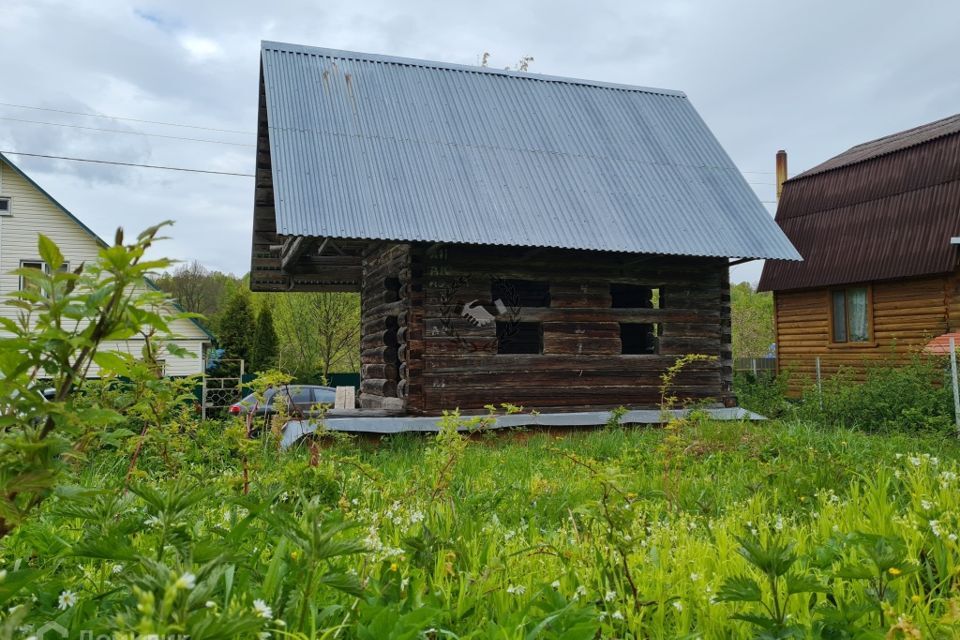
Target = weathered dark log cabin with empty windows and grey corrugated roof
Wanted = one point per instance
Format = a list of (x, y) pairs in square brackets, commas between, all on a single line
[(547, 242)]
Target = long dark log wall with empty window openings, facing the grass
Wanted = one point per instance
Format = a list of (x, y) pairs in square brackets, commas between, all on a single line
[(449, 343)]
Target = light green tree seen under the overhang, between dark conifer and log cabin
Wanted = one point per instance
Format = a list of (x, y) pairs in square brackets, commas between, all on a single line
[(318, 332)]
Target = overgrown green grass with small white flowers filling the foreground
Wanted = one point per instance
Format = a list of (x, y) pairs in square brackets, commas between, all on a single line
[(620, 532)]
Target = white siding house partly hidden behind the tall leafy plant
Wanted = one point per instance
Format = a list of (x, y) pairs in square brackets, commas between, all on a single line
[(26, 210)]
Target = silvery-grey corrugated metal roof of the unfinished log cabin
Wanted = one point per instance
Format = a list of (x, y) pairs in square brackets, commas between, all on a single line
[(375, 147)]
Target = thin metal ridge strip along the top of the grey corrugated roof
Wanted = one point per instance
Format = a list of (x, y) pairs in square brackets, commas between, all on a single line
[(287, 47)]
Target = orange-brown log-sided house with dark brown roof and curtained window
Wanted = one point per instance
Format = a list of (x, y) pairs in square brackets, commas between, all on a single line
[(876, 227)]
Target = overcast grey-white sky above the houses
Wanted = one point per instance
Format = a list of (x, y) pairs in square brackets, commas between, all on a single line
[(813, 78)]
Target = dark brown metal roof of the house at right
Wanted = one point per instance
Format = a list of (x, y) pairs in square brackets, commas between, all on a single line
[(882, 210)]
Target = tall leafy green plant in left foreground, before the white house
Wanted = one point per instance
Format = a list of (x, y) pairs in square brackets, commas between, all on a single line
[(63, 318)]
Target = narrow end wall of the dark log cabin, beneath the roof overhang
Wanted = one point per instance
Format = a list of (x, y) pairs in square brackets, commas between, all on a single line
[(384, 304)]
